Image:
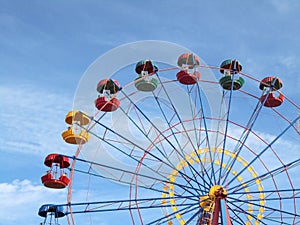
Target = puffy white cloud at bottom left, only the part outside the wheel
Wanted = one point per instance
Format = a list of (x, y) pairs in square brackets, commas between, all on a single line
[(20, 201)]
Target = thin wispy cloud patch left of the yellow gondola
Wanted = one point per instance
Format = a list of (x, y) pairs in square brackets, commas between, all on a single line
[(32, 118)]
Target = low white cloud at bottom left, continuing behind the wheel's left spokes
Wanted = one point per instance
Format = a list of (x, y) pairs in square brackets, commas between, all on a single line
[(20, 201)]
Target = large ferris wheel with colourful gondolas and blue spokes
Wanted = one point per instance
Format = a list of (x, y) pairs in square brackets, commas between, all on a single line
[(187, 142)]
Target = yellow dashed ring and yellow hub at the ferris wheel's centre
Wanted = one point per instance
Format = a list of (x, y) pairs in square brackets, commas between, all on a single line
[(207, 201)]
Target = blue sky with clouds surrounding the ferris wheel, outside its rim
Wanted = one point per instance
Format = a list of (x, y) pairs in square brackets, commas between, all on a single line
[(46, 46)]
